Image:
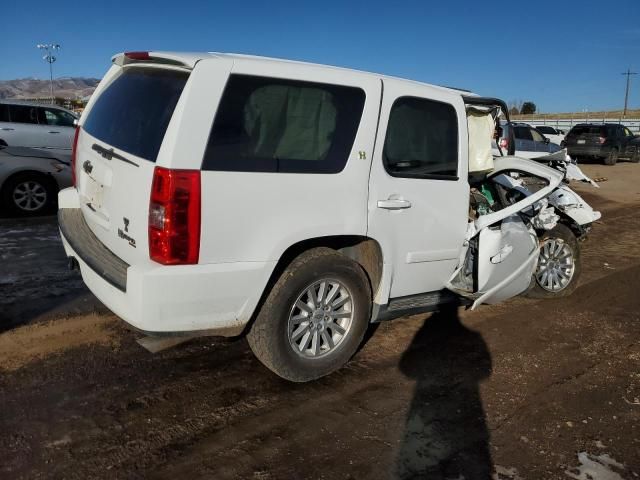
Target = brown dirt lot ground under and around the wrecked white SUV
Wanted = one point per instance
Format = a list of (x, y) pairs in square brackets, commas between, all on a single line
[(523, 390)]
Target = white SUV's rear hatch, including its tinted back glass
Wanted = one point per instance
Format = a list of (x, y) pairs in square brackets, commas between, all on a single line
[(117, 147)]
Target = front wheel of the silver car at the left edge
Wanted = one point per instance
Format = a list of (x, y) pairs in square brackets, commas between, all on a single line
[(29, 194)]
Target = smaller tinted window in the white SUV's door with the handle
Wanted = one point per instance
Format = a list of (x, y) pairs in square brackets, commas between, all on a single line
[(421, 140)]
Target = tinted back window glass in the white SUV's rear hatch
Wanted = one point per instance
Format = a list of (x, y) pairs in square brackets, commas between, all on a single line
[(133, 113)]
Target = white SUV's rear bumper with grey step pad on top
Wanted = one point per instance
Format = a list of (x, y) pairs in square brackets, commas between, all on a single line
[(214, 299)]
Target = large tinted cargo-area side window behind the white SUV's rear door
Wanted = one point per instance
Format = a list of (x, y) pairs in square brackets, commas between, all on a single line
[(275, 125)]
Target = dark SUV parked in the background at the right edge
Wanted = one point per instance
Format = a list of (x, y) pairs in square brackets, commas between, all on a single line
[(608, 141)]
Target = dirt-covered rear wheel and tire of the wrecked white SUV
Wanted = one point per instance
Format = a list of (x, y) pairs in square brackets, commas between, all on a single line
[(275, 337)]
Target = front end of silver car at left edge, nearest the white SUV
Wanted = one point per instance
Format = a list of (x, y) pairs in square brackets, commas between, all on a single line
[(30, 180)]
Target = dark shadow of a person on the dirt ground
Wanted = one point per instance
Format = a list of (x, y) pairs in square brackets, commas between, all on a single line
[(446, 435)]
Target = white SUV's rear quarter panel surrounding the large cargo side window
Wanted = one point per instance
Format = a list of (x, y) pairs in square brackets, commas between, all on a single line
[(249, 216)]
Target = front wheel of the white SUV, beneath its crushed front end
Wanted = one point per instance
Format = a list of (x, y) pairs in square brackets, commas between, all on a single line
[(546, 287)]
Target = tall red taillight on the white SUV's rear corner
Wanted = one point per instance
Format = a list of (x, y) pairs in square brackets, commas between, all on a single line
[(174, 216)]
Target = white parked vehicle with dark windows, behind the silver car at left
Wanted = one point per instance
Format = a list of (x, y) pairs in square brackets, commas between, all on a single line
[(45, 127)]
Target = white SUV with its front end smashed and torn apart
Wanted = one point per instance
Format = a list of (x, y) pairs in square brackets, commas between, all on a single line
[(224, 194)]
